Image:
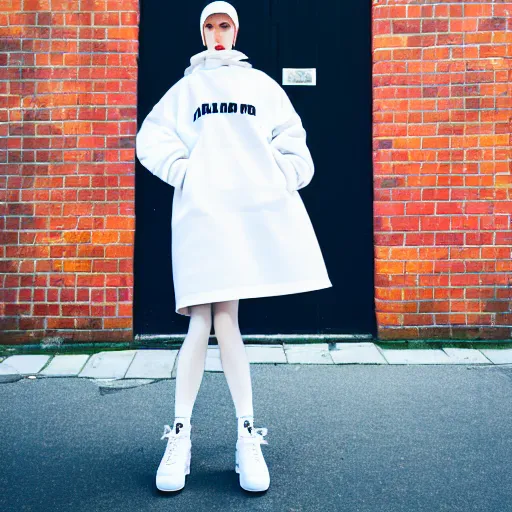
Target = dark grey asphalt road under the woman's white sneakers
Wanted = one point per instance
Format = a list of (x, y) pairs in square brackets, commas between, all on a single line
[(341, 438)]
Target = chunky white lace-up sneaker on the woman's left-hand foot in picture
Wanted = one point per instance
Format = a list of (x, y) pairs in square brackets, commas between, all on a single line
[(175, 463)]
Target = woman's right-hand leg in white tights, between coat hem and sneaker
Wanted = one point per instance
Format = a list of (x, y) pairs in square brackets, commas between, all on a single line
[(233, 356)]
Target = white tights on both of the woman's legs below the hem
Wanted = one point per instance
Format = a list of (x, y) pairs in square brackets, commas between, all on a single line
[(192, 355)]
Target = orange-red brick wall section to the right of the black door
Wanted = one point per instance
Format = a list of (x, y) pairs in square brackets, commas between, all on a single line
[(442, 122)]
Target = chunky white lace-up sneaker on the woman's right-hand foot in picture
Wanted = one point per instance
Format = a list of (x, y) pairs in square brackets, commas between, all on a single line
[(250, 464)]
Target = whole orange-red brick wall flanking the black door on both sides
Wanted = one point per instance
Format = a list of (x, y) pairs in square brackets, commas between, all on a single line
[(442, 120)]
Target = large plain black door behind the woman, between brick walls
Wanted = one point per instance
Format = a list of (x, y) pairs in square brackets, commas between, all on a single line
[(336, 113)]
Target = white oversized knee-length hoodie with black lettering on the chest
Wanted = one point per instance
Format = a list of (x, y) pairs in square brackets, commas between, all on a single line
[(228, 139)]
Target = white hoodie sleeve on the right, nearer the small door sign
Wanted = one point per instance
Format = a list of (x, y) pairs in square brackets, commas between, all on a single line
[(289, 145)]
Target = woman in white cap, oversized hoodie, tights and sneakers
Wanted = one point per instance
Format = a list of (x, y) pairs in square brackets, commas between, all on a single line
[(228, 139)]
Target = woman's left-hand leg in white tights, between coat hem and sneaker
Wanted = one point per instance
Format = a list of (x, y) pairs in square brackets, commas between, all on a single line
[(191, 359)]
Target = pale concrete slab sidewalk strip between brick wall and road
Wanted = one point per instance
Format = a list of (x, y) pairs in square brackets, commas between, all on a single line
[(161, 363)]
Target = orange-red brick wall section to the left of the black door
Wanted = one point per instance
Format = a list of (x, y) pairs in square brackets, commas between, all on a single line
[(68, 73)]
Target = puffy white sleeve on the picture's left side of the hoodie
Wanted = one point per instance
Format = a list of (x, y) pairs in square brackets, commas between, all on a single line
[(158, 147)]
